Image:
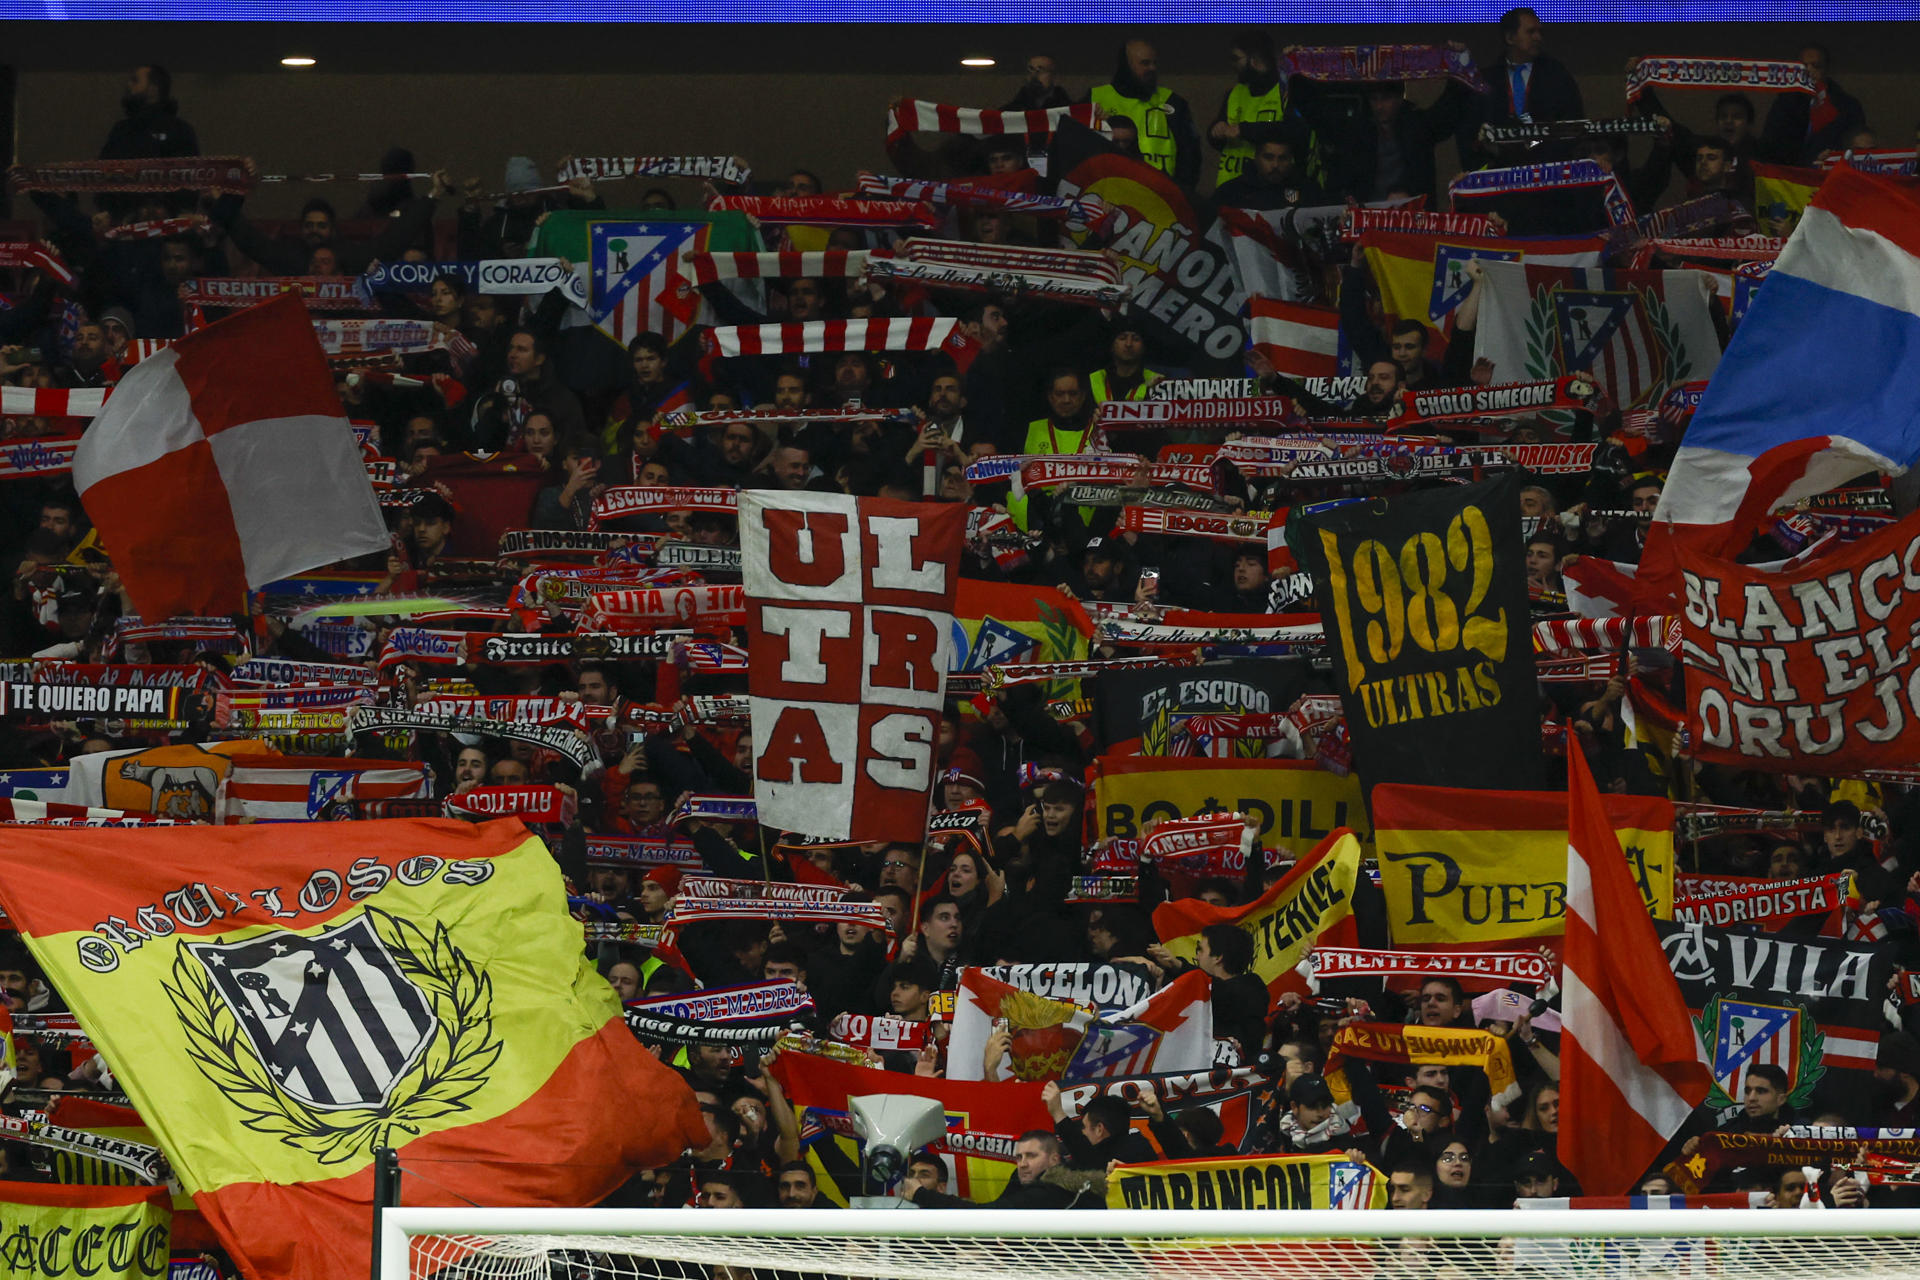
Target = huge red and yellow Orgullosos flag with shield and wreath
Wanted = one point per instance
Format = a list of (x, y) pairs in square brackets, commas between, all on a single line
[(279, 1001)]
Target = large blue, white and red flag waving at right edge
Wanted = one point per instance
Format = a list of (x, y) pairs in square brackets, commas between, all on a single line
[(1840, 310)]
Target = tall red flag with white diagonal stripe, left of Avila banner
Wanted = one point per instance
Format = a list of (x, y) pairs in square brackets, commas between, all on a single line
[(1631, 1060)]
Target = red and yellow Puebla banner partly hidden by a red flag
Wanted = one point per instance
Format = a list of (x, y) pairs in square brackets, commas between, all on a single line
[(1491, 866)]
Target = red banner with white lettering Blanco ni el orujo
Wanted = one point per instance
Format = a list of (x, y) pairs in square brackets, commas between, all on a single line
[(1812, 669)]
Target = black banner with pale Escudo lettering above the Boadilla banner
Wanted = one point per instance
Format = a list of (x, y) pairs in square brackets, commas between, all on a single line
[(1140, 705)]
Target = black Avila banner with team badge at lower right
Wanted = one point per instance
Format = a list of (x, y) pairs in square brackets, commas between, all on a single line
[(1808, 1007)]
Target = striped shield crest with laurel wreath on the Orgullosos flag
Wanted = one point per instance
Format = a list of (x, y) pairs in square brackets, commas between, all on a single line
[(341, 1041)]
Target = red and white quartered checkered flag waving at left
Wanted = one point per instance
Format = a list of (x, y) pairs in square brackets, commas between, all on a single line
[(226, 463)]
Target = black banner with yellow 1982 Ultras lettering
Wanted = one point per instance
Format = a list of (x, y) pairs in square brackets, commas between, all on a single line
[(1426, 607)]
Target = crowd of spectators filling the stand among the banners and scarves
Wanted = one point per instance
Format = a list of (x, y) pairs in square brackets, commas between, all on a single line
[(519, 417)]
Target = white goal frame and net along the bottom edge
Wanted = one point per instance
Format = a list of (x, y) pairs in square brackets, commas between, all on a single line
[(1130, 1244)]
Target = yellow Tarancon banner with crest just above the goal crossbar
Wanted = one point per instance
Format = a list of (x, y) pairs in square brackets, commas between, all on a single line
[(1247, 1183)]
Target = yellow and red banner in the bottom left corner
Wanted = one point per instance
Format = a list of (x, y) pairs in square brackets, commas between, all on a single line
[(95, 1233)]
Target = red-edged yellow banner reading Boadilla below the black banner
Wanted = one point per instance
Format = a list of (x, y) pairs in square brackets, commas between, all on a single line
[(1295, 803)]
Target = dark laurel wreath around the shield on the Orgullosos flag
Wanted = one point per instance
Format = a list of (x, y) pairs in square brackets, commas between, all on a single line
[(454, 1068)]
